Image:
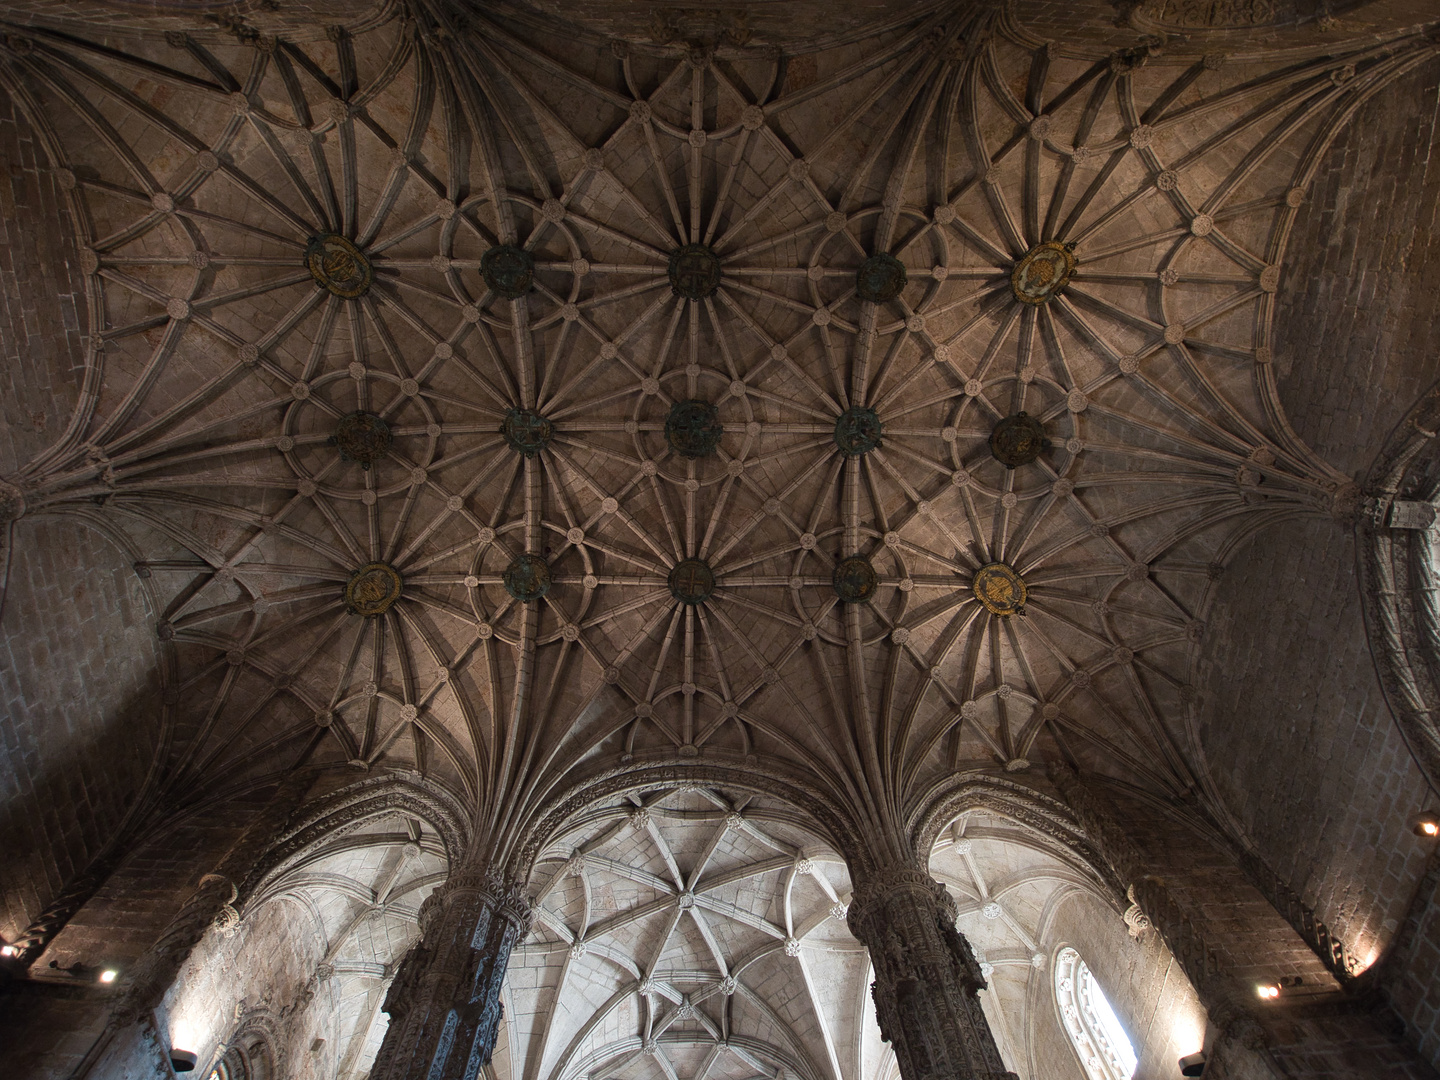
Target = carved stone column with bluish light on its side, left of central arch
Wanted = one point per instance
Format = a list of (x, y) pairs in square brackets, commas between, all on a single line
[(446, 1000)]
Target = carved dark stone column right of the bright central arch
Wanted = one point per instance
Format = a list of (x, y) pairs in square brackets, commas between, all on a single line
[(927, 978)]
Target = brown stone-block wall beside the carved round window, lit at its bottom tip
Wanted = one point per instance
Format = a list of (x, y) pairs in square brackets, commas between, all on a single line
[(1298, 739)]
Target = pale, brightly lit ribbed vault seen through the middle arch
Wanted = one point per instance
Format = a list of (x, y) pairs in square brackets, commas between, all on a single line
[(688, 935)]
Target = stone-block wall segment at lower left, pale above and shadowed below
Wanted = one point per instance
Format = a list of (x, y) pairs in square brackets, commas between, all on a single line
[(80, 708)]
